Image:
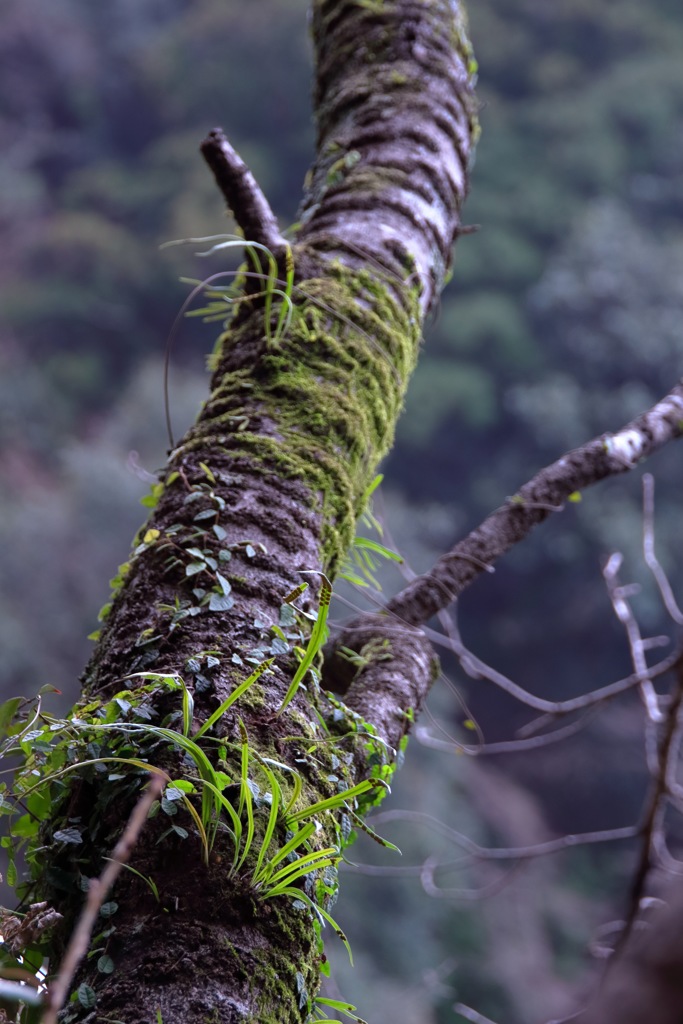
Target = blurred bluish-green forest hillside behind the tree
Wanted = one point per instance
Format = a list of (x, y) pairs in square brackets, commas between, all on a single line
[(564, 320)]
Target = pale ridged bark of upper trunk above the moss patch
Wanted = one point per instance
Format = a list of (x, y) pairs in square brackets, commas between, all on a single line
[(397, 123)]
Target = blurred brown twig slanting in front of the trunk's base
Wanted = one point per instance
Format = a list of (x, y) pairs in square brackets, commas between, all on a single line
[(80, 941)]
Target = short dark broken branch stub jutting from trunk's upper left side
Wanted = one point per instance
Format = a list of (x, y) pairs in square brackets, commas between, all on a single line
[(242, 193)]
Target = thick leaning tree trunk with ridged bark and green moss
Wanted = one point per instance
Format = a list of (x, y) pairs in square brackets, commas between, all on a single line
[(264, 493)]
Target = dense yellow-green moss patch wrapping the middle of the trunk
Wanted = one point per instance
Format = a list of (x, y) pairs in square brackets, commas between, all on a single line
[(326, 399)]
